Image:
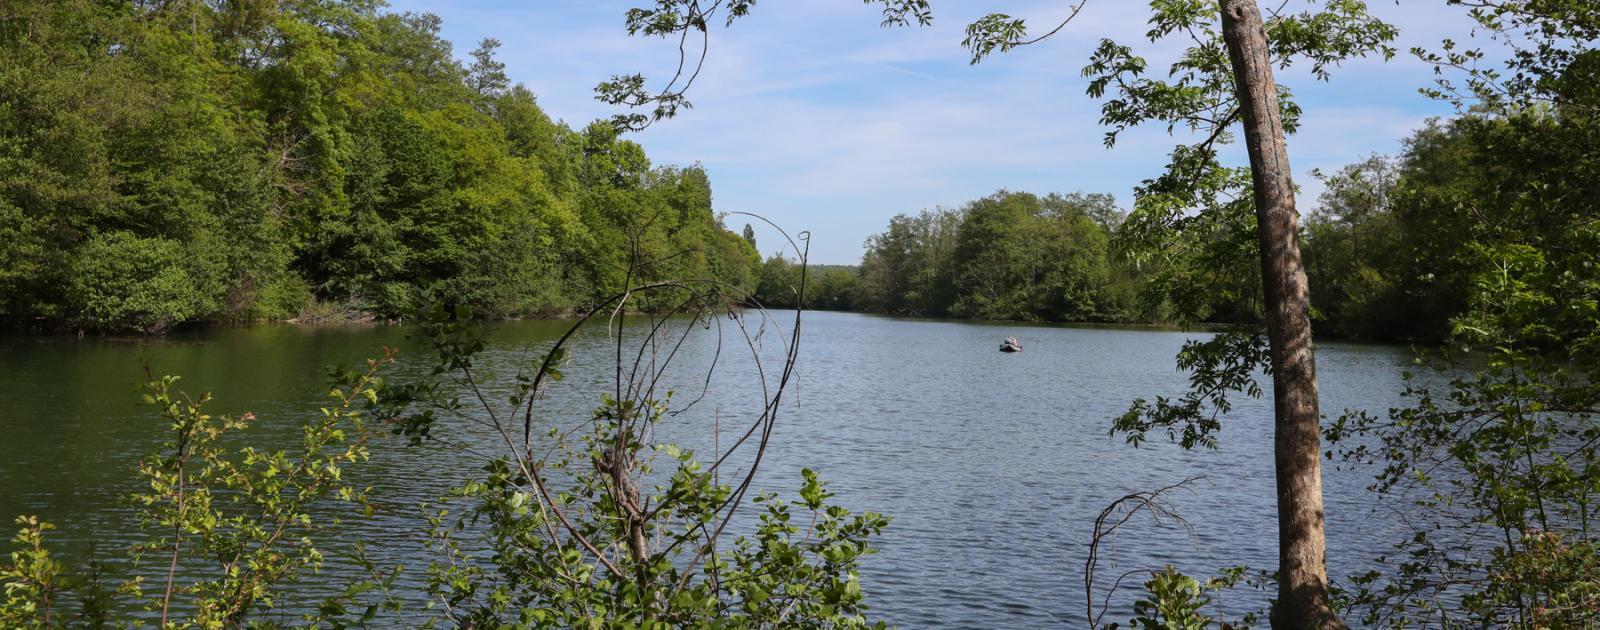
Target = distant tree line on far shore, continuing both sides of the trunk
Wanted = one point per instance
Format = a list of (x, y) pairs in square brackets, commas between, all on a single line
[(1394, 244)]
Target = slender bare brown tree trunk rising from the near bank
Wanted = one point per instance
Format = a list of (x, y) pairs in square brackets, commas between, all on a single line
[(1303, 573)]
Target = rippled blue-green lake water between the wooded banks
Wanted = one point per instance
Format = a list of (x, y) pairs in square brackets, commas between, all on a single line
[(993, 466)]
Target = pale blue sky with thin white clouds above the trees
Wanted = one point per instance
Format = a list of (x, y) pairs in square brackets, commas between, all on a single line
[(810, 114)]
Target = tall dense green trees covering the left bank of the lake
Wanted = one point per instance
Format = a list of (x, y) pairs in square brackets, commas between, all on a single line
[(167, 162)]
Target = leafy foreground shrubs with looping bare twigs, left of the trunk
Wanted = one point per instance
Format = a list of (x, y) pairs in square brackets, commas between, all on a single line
[(577, 532)]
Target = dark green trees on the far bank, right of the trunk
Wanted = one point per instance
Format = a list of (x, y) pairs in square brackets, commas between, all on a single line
[(1398, 245)]
